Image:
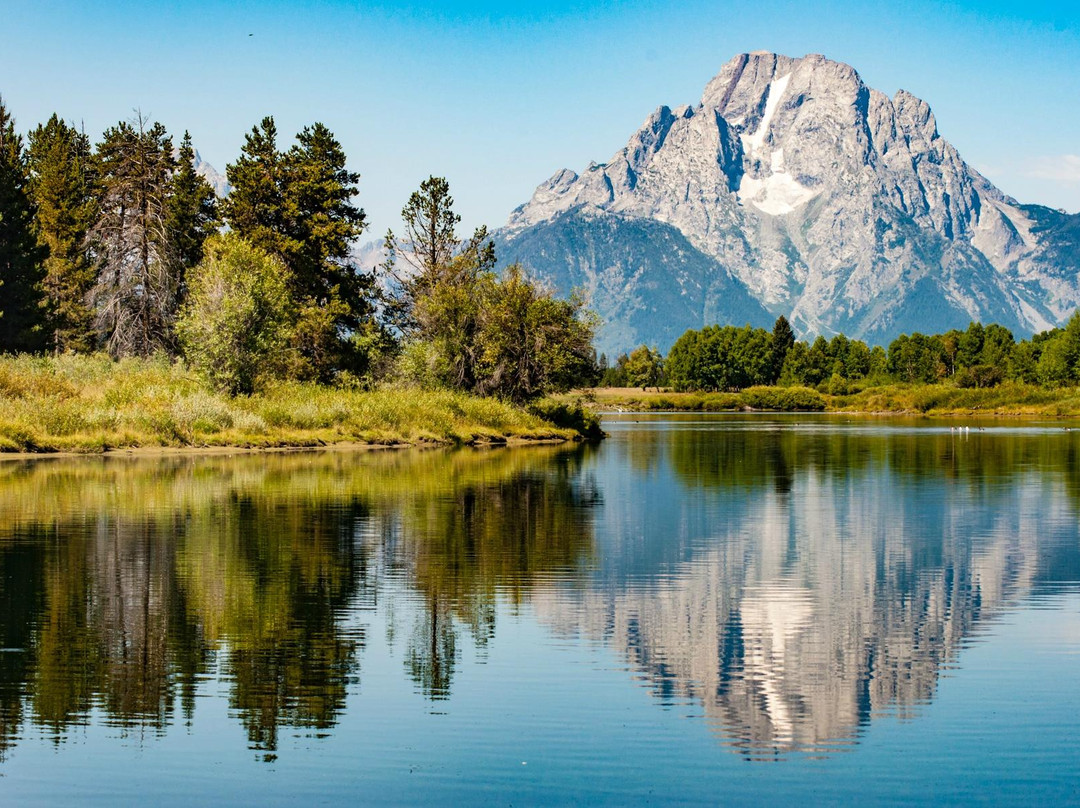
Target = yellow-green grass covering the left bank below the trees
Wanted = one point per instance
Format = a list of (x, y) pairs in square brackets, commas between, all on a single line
[(93, 405)]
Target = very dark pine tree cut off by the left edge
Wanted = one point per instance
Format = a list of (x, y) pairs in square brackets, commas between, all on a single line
[(21, 257)]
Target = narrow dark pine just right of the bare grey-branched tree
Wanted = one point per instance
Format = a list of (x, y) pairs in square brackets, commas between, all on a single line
[(192, 210)]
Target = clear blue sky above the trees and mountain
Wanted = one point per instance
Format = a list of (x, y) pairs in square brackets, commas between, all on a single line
[(497, 97)]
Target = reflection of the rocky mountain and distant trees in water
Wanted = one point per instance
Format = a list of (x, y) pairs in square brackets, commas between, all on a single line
[(808, 578)]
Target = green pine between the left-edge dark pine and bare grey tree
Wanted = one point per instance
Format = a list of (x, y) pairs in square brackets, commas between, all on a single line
[(61, 184)]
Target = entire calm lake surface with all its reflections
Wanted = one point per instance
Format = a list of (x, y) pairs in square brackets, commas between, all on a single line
[(745, 610)]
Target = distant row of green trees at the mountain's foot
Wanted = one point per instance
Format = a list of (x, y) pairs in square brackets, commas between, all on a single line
[(730, 358)]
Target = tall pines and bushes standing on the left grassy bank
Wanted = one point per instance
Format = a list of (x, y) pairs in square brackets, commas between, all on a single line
[(123, 247)]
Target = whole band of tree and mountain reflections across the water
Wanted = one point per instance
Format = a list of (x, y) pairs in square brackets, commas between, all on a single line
[(794, 580)]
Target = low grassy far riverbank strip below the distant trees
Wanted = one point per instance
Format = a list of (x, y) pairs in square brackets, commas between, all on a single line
[(1010, 399)]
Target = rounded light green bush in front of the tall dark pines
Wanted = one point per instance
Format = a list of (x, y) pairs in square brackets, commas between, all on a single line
[(237, 325)]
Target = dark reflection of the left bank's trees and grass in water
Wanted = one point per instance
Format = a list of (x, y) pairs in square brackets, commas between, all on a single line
[(127, 583)]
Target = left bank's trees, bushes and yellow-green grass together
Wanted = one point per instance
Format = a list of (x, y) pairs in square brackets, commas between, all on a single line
[(140, 311)]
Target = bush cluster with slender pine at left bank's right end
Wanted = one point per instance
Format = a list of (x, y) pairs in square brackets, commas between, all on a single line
[(467, 329)]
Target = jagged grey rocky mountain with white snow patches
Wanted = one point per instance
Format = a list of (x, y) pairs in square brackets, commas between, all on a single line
[(827, 200)]
